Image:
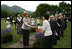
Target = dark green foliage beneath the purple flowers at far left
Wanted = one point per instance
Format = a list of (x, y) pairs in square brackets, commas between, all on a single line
[(6, 37)]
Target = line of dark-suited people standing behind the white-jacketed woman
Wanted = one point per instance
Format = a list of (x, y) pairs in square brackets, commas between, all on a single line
[(58, 25)]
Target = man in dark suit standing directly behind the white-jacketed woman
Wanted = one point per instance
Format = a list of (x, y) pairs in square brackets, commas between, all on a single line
[(54, 28)]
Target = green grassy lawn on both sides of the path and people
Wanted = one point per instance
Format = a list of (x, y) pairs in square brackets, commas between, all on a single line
[(63, 43)]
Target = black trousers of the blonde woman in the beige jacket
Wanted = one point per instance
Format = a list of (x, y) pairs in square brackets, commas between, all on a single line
[(25, 34)]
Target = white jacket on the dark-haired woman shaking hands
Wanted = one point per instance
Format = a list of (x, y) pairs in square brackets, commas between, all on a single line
[(46, 28)]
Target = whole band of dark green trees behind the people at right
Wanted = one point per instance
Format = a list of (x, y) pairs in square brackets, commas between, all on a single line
[(63, 8)]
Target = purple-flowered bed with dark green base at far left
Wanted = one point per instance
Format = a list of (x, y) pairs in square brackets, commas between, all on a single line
[(6, 36)]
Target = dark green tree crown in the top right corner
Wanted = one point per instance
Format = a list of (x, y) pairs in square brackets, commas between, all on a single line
[(65, 7)]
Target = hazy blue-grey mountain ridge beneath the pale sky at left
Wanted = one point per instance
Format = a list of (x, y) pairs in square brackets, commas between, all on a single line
[(14, 9)]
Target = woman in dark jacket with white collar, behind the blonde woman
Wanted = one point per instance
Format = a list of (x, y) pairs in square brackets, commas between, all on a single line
[(18, 25)]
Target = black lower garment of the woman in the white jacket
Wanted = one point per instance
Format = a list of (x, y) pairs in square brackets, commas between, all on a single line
[(48, 42)]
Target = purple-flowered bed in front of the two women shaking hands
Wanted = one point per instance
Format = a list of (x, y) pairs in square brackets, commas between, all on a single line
[(39, 40)]
